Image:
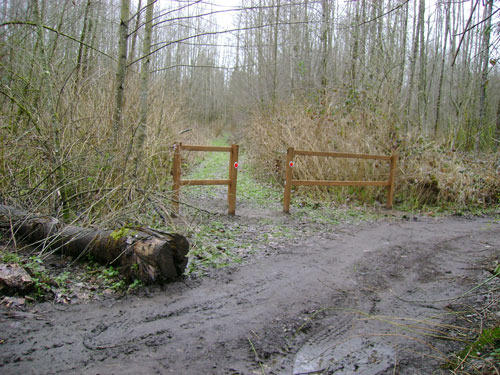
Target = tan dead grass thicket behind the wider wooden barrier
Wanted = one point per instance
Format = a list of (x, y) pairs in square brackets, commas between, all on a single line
[(429, 171)]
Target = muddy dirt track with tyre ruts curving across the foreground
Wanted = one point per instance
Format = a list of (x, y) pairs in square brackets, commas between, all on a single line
[(339, 302)]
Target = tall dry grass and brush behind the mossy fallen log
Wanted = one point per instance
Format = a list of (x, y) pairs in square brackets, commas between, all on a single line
[(105, 178)]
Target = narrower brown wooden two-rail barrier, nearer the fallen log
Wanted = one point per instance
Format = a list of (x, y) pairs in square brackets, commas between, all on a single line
[(230, 182)]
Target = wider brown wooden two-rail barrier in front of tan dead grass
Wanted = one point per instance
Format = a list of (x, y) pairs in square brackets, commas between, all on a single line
[(291, 153)]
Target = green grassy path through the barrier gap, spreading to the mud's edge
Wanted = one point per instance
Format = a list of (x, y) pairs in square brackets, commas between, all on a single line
[(259, 227)]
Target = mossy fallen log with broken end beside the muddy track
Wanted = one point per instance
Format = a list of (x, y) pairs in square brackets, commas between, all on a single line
[(142, 254)]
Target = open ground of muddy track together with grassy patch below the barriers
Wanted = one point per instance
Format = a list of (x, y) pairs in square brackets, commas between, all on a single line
[(318, 291)]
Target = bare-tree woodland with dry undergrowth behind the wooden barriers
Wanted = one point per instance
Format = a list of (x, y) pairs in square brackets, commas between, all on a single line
[(93, 93)]
